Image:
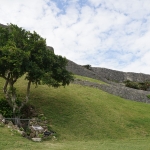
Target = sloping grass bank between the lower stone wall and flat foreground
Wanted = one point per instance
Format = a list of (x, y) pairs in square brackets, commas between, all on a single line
[(80, 112)]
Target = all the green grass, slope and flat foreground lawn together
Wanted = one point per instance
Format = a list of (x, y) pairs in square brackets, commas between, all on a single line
[(91, 116)]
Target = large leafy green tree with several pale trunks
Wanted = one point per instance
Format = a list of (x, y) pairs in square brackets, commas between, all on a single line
[(26, 53)]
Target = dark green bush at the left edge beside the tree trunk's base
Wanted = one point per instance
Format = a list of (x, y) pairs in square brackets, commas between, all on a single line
[(5, 109)]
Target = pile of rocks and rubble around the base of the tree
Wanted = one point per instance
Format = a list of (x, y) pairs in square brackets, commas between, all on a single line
[(37, 129)]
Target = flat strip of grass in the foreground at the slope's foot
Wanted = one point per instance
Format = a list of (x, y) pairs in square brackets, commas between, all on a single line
[(12, 141)]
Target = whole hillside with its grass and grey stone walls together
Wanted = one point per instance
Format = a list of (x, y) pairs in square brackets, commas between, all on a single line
[(96, 111)]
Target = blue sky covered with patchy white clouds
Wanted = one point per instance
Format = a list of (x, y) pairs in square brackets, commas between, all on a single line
[(112, 34)]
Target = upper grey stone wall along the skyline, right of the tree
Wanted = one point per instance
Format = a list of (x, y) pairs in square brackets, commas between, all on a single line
[(105, 74)]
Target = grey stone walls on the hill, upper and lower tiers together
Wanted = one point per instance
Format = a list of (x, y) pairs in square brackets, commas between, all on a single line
[(115, 81)]
